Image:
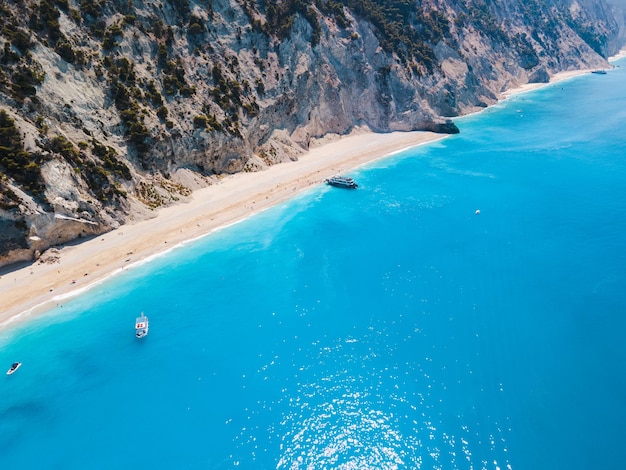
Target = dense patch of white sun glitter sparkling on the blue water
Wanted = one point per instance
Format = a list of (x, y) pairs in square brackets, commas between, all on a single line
[(386, 417)]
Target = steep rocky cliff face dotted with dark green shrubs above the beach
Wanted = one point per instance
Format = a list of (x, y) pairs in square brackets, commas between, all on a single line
[(116, 108)]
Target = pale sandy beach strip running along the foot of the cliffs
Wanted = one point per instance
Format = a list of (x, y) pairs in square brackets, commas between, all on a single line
[(40, 286)]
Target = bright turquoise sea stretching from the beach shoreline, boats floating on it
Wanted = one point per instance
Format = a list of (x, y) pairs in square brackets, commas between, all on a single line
[(387, 327)]
